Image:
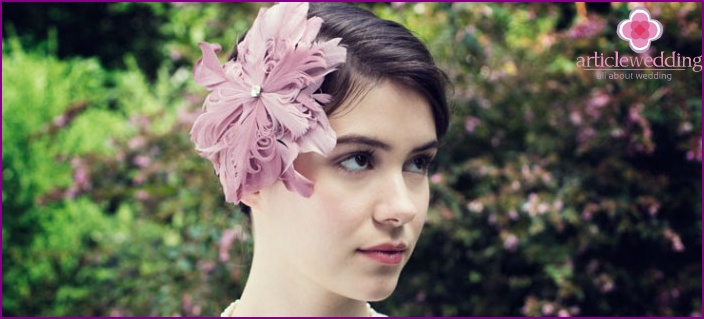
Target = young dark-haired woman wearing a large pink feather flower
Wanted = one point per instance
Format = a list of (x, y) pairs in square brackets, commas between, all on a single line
[(323, 123)]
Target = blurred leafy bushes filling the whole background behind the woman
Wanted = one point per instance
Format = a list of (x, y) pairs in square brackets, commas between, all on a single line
[(556, 193)]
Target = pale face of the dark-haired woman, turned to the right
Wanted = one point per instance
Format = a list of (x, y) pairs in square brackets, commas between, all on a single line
[(355, 233)]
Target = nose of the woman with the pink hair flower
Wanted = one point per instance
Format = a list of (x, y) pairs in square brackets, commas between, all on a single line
[(395, 206)]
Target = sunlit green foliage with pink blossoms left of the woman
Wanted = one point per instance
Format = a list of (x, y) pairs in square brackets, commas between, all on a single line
[(97, 218)]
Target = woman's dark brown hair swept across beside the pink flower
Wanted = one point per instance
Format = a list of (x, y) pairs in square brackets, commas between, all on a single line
[(379, 49)]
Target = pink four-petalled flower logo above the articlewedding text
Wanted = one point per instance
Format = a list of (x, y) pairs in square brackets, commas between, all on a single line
[(639, 30)]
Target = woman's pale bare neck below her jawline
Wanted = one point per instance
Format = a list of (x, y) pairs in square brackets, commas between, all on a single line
[(272, 290)]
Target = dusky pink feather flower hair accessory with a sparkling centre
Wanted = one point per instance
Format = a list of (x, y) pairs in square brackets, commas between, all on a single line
[(263, 109)]
